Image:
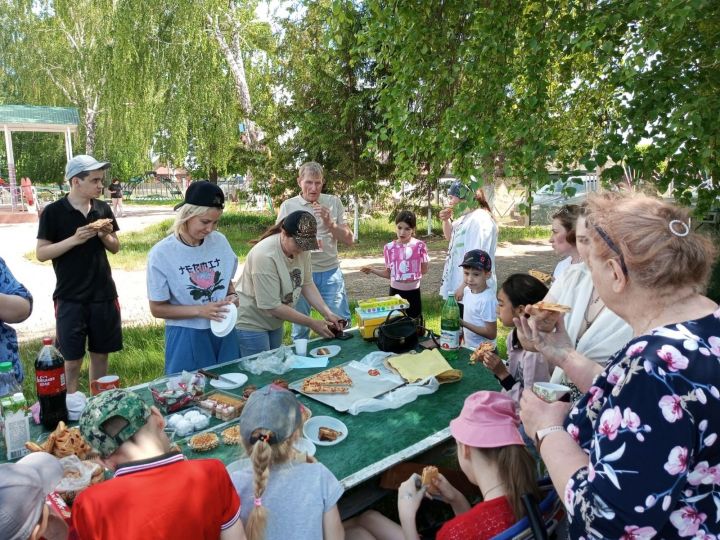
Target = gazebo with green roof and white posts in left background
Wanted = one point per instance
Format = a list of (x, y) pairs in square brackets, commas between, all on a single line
[(37, 119)]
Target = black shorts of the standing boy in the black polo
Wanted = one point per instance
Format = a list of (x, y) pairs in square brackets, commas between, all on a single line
[(97, 322)]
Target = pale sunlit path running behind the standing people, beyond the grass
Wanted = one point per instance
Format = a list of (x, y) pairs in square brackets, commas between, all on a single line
[(19, 239)]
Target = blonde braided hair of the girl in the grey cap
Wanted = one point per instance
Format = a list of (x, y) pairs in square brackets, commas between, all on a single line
[(263, 455)]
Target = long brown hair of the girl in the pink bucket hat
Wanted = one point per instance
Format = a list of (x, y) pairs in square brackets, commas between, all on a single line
[(516, 469)]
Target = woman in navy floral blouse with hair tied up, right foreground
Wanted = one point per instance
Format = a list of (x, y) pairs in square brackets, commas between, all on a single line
[(637, 456)]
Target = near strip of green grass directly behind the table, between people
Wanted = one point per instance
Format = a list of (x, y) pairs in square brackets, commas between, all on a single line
[(143, 358)]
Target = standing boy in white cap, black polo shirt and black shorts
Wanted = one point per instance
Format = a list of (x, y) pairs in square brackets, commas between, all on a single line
[(86, 300)]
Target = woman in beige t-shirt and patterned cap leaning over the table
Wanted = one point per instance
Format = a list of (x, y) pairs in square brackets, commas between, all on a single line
[(276, 272)]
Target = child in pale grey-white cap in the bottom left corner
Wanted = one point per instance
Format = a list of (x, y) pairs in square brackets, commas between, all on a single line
[(23, 488)]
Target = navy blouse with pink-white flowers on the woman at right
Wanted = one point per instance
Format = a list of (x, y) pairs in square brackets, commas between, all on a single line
[(650, 425)]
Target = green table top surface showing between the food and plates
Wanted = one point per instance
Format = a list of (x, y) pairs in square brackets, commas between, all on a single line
[(376, 440)]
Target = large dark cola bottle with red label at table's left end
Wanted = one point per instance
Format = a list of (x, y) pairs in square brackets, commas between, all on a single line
[(50, 385)]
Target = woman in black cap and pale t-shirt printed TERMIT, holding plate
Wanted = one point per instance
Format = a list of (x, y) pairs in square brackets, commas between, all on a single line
[(189, 282)]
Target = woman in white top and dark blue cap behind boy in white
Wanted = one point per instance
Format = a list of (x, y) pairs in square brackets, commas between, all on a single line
[(474, 229)]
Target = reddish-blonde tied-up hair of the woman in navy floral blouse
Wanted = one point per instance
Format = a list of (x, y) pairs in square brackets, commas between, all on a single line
[(660, 249)]
